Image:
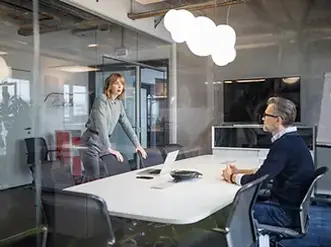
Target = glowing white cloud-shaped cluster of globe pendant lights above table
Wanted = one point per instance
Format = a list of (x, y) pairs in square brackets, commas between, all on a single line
[(202, 36)]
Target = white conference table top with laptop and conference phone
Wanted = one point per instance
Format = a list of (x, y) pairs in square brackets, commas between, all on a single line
[(176, 203)]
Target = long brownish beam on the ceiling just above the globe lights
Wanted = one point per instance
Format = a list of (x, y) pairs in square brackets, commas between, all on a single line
[(192, 7)]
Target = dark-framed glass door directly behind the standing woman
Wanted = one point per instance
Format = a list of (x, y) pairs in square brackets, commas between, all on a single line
[(145, 102)]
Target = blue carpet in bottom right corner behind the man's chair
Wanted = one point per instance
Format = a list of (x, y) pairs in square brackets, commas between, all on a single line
[(319, 232)]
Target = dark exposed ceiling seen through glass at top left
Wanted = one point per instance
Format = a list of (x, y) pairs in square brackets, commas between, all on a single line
[(54, 16)]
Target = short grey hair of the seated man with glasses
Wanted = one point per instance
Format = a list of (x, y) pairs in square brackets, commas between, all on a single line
[(285, 109)]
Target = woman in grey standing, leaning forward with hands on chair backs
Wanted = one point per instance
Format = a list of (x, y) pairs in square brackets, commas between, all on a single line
[(106, 112)]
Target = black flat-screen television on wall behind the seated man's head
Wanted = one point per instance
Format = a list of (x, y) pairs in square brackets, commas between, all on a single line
[(245, 99)]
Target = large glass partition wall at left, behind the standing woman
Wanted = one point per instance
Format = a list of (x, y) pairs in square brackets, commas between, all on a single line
[(43, 115)]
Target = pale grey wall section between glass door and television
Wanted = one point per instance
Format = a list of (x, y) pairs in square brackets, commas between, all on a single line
[(194, 99)]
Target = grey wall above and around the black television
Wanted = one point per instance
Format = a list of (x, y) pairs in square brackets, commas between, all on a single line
[(274, 46)]
